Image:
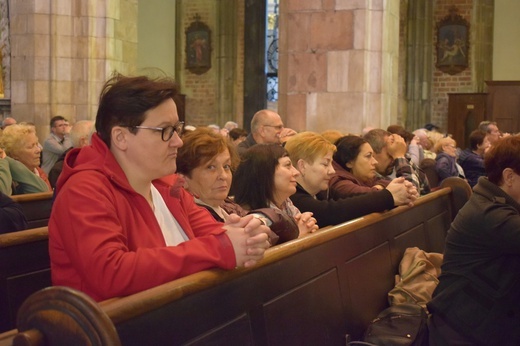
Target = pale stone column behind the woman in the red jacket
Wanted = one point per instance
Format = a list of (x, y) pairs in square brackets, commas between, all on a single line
[(63, 51)]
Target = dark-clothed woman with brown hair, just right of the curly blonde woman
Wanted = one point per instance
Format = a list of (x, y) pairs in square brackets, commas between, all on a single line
[(472, 159)]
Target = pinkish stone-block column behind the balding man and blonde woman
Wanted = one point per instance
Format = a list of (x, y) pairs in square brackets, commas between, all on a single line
[(338, 64)]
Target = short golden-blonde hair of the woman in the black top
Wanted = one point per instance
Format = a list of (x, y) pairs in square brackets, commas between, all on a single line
[(307, 146)]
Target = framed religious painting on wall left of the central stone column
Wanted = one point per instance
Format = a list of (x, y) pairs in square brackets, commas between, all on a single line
[(198, 47)]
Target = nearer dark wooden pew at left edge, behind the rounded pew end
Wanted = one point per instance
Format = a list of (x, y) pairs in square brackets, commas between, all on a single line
[(24, 269)]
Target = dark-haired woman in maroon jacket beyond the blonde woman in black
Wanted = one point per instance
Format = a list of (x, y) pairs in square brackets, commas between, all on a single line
[(355, 168)]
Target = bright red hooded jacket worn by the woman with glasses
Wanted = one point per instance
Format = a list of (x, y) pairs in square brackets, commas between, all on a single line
[(104, 238)]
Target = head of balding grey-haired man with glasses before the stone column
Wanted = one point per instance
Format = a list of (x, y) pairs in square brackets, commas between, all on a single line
[(266, 128)]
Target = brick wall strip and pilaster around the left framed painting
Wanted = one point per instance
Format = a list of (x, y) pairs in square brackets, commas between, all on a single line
[(216, 95)]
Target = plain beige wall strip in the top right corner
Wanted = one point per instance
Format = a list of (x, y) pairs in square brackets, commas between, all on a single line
[(506, 50)]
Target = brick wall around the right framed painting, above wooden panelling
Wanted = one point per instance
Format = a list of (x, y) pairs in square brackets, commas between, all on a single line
[(444, 83)]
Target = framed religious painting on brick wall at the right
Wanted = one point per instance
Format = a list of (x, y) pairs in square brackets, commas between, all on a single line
[(452, 43)]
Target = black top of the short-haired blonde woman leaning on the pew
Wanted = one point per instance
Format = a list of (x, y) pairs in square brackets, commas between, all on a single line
[(331, 212)]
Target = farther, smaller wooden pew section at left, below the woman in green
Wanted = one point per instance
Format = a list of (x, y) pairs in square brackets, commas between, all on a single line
[(36, 207)]
